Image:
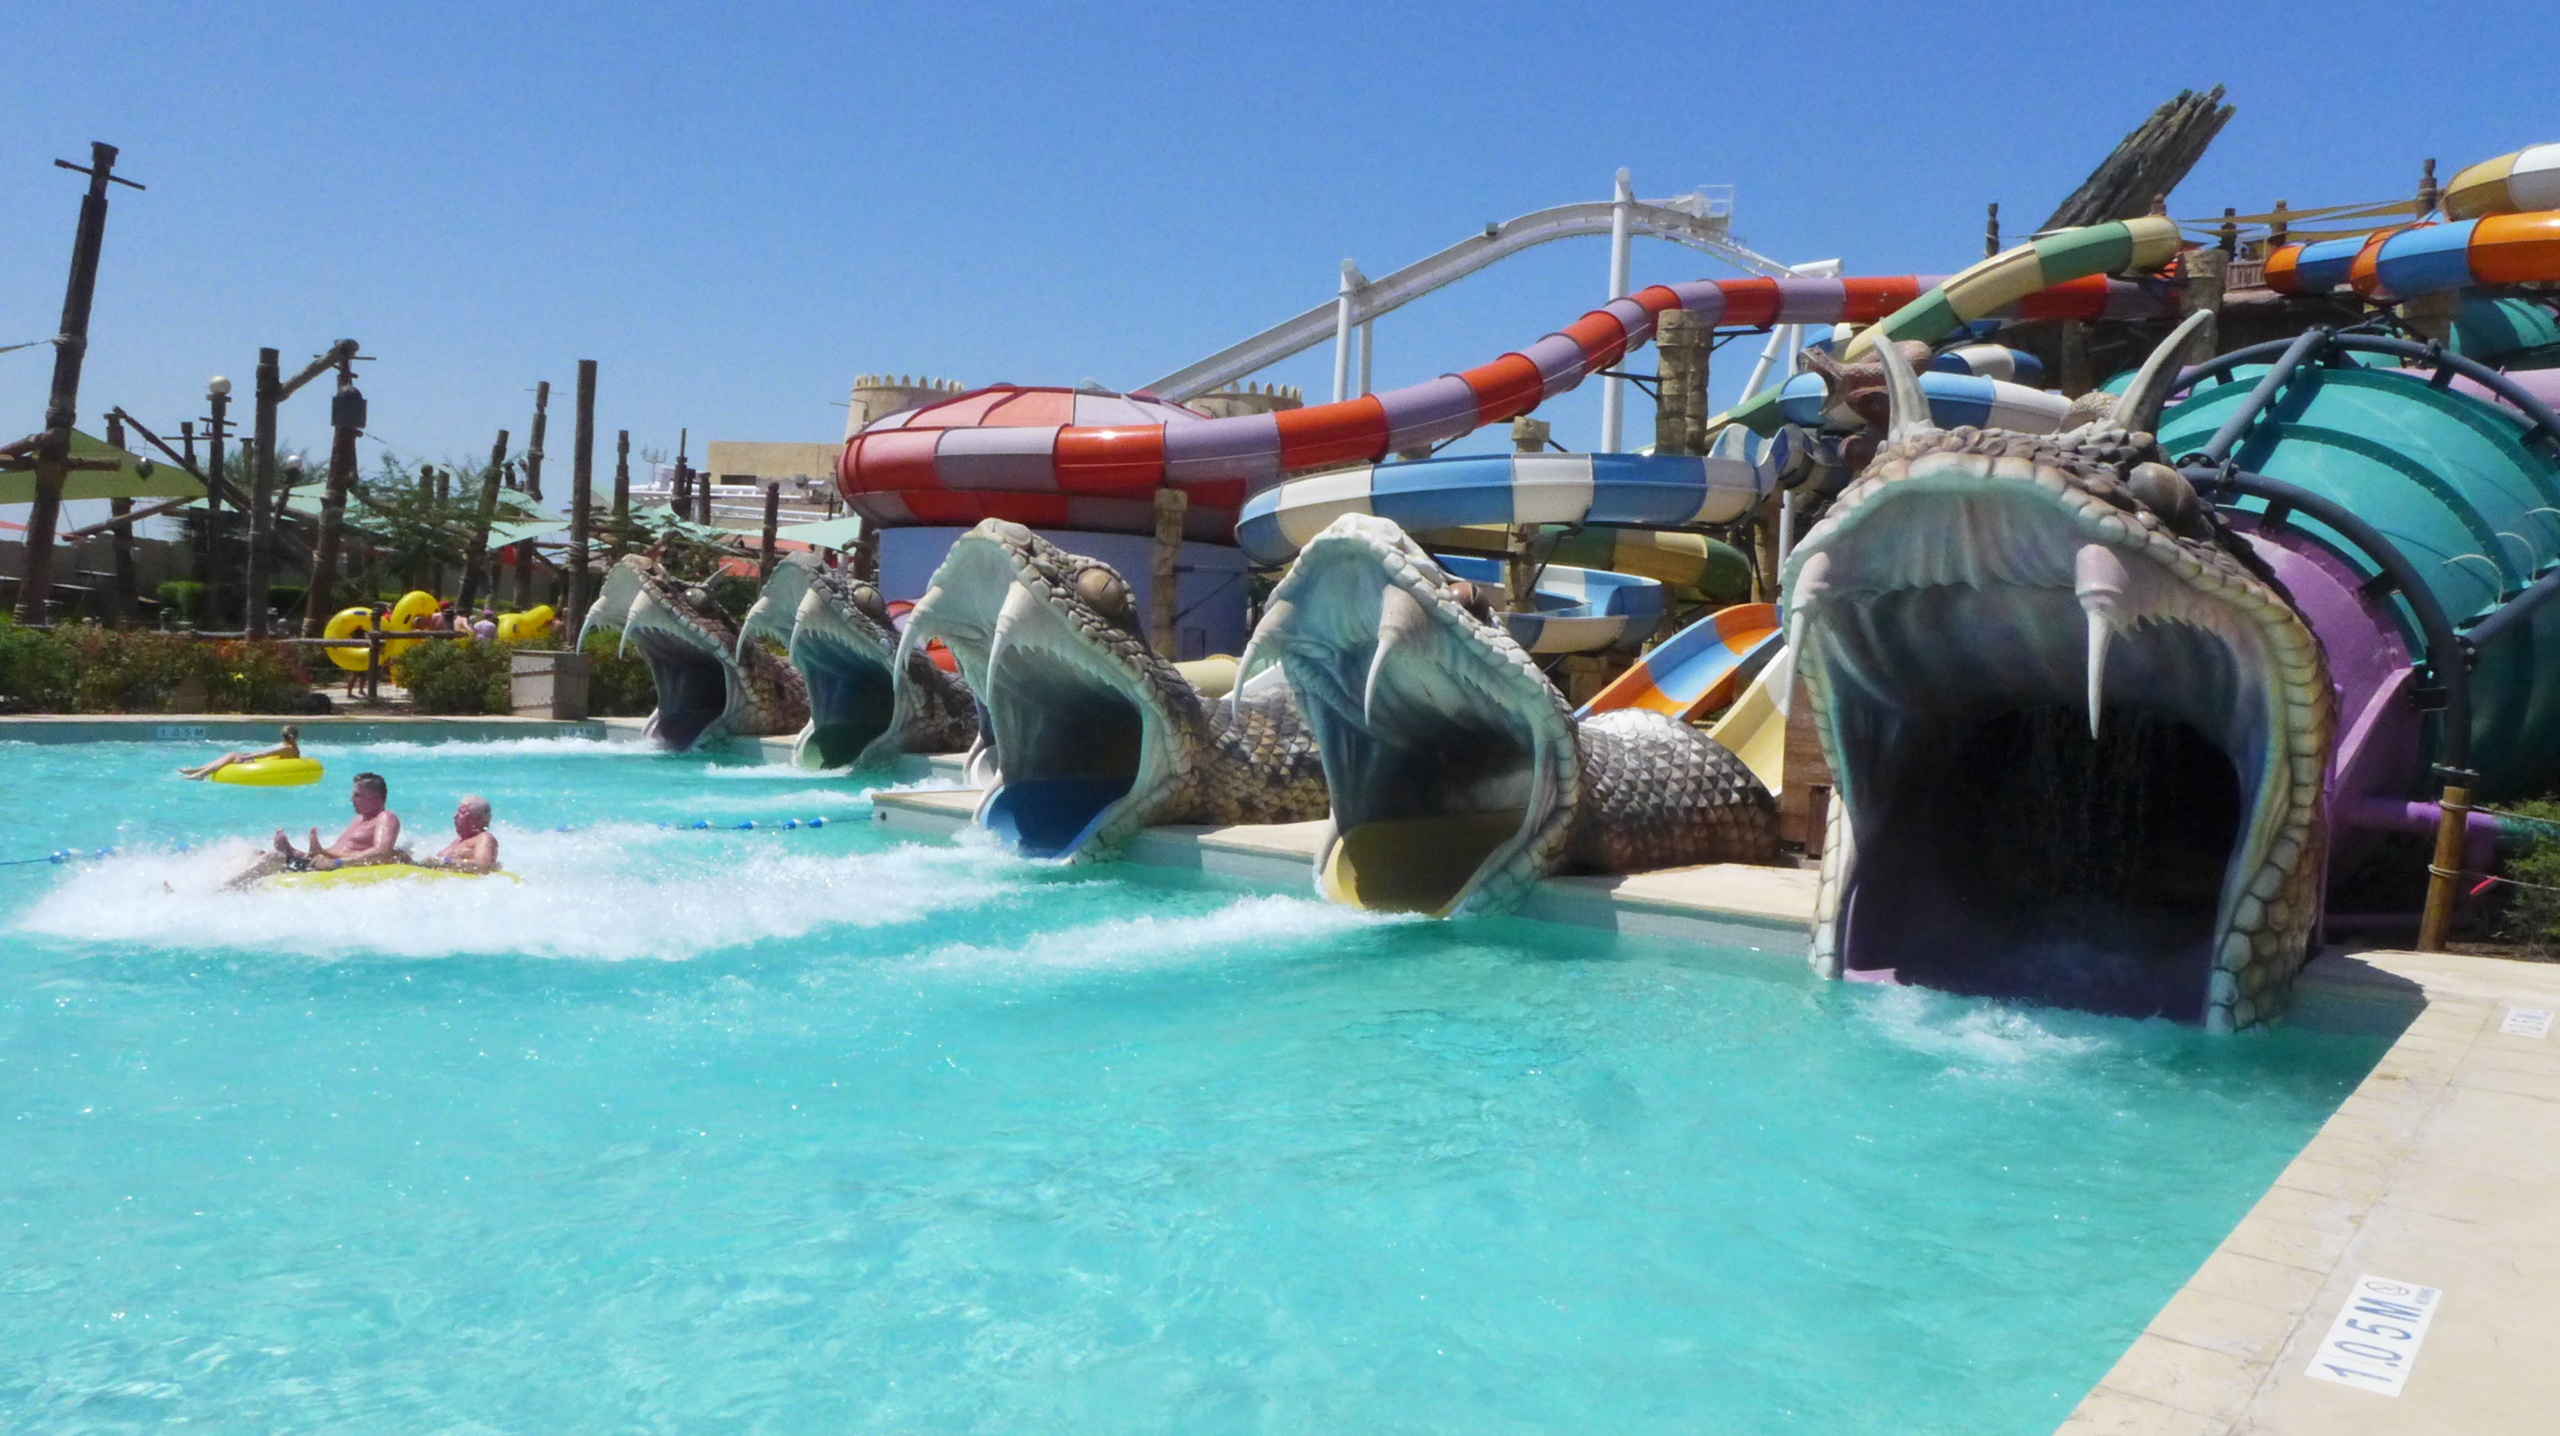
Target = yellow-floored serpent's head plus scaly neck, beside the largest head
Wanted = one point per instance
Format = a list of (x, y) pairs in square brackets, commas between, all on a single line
[(1432, 718)]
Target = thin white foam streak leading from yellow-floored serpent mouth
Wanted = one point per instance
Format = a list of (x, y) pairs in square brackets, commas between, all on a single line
[(1261, 925)]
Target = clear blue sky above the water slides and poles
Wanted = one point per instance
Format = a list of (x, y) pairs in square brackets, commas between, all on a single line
[(741, 209)]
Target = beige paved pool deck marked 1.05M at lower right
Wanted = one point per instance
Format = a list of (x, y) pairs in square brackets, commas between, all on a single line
[(2410, 1179)]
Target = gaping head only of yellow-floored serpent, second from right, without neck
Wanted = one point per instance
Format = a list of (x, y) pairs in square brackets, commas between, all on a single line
[(1448, 756)]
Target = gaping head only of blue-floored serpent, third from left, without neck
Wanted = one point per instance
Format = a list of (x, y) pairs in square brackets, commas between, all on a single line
[(1079, 710)]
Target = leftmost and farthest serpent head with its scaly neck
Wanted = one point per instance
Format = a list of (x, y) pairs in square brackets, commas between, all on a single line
[(710, 687)]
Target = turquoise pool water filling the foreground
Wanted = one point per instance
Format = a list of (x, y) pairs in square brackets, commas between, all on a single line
[(836, 1133)]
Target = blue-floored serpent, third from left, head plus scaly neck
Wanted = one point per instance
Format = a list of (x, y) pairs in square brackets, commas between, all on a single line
[(1079, 705)]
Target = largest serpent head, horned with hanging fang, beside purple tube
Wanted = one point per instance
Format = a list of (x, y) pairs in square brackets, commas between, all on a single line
[(1988, 577)]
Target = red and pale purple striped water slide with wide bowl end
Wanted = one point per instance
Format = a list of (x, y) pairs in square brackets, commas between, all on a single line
[(956, 465)]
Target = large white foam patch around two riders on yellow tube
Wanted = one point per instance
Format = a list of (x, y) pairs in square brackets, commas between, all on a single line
[(613, 892)]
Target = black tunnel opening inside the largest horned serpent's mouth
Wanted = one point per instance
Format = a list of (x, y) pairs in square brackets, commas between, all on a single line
[(2021, 859)]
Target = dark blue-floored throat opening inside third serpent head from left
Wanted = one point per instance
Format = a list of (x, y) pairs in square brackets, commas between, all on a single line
[(1069, 749)]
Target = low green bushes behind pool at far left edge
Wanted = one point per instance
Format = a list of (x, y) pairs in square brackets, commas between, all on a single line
[(88, 669)]
